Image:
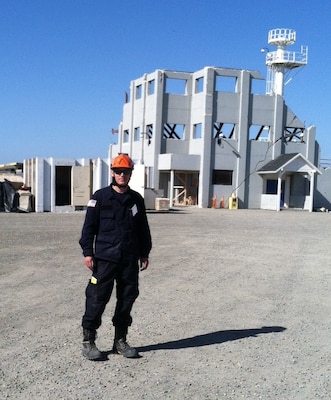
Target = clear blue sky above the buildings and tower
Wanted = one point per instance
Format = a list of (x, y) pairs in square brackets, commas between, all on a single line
[(66, 64)]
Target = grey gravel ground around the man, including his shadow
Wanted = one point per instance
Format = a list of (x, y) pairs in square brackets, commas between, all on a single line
[(235, 305)]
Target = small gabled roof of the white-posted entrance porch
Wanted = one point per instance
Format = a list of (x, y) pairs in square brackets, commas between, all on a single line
[(285, 160)]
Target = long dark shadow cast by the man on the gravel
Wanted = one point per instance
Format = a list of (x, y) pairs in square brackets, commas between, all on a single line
[(208, 339)]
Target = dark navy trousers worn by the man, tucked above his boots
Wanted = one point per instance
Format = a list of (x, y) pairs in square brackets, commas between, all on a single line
[(99, 290)]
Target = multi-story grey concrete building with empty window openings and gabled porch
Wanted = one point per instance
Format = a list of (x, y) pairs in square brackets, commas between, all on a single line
[(206, 135)]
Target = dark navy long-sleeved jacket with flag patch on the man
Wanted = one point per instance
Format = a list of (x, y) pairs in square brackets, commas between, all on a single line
[(116, 226)]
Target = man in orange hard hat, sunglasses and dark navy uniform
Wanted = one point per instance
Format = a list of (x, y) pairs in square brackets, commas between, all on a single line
[(116, 241)]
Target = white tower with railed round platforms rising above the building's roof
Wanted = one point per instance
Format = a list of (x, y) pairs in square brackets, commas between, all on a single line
[(281, 61)]
